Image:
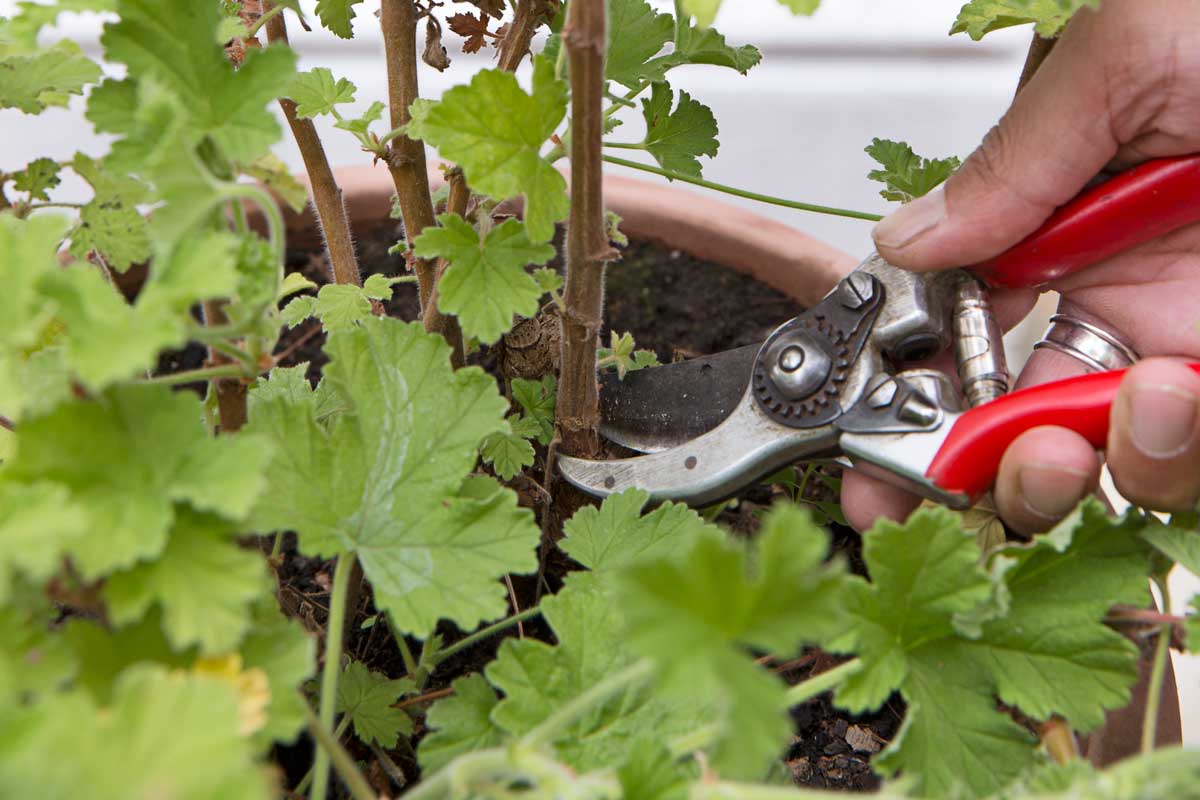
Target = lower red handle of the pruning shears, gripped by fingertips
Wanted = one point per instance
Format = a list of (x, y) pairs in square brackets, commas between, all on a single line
[(969, 460)]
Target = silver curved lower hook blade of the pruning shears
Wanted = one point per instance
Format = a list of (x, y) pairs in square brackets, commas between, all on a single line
[(710, 468)]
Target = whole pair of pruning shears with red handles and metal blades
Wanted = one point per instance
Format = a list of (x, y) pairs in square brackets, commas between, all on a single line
[(825, 384)]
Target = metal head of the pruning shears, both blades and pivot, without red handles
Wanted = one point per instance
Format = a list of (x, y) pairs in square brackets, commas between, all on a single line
[(818, 388)]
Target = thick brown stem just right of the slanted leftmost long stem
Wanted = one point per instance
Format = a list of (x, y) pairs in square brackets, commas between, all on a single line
[(406, 157)]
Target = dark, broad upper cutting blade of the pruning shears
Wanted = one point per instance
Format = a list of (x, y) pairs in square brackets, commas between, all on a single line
[(658, 408)]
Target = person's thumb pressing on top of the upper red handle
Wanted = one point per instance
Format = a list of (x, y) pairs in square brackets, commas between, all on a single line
[(1051, 143)]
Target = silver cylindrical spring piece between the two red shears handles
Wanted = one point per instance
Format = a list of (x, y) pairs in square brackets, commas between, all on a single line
[(979, 345)]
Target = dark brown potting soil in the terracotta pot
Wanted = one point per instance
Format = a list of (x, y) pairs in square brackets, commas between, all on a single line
[(680, 308)]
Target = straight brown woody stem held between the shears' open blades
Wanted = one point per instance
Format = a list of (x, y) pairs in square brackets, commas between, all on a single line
[(587, 242)]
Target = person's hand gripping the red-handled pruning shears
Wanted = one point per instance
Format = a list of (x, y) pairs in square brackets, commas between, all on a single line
[(1119, 88)]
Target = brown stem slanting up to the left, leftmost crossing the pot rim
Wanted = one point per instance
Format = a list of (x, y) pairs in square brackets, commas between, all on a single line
[(327, 196)]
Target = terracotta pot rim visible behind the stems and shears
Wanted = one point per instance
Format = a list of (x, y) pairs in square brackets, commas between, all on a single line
[(785, 260)]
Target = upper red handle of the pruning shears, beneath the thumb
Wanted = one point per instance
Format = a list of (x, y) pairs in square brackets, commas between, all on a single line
[(1149, 201)]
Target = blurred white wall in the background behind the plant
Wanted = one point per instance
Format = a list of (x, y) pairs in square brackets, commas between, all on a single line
[(795, 128)]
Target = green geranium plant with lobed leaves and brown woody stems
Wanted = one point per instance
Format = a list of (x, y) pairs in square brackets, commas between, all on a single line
[(153, 645)]
